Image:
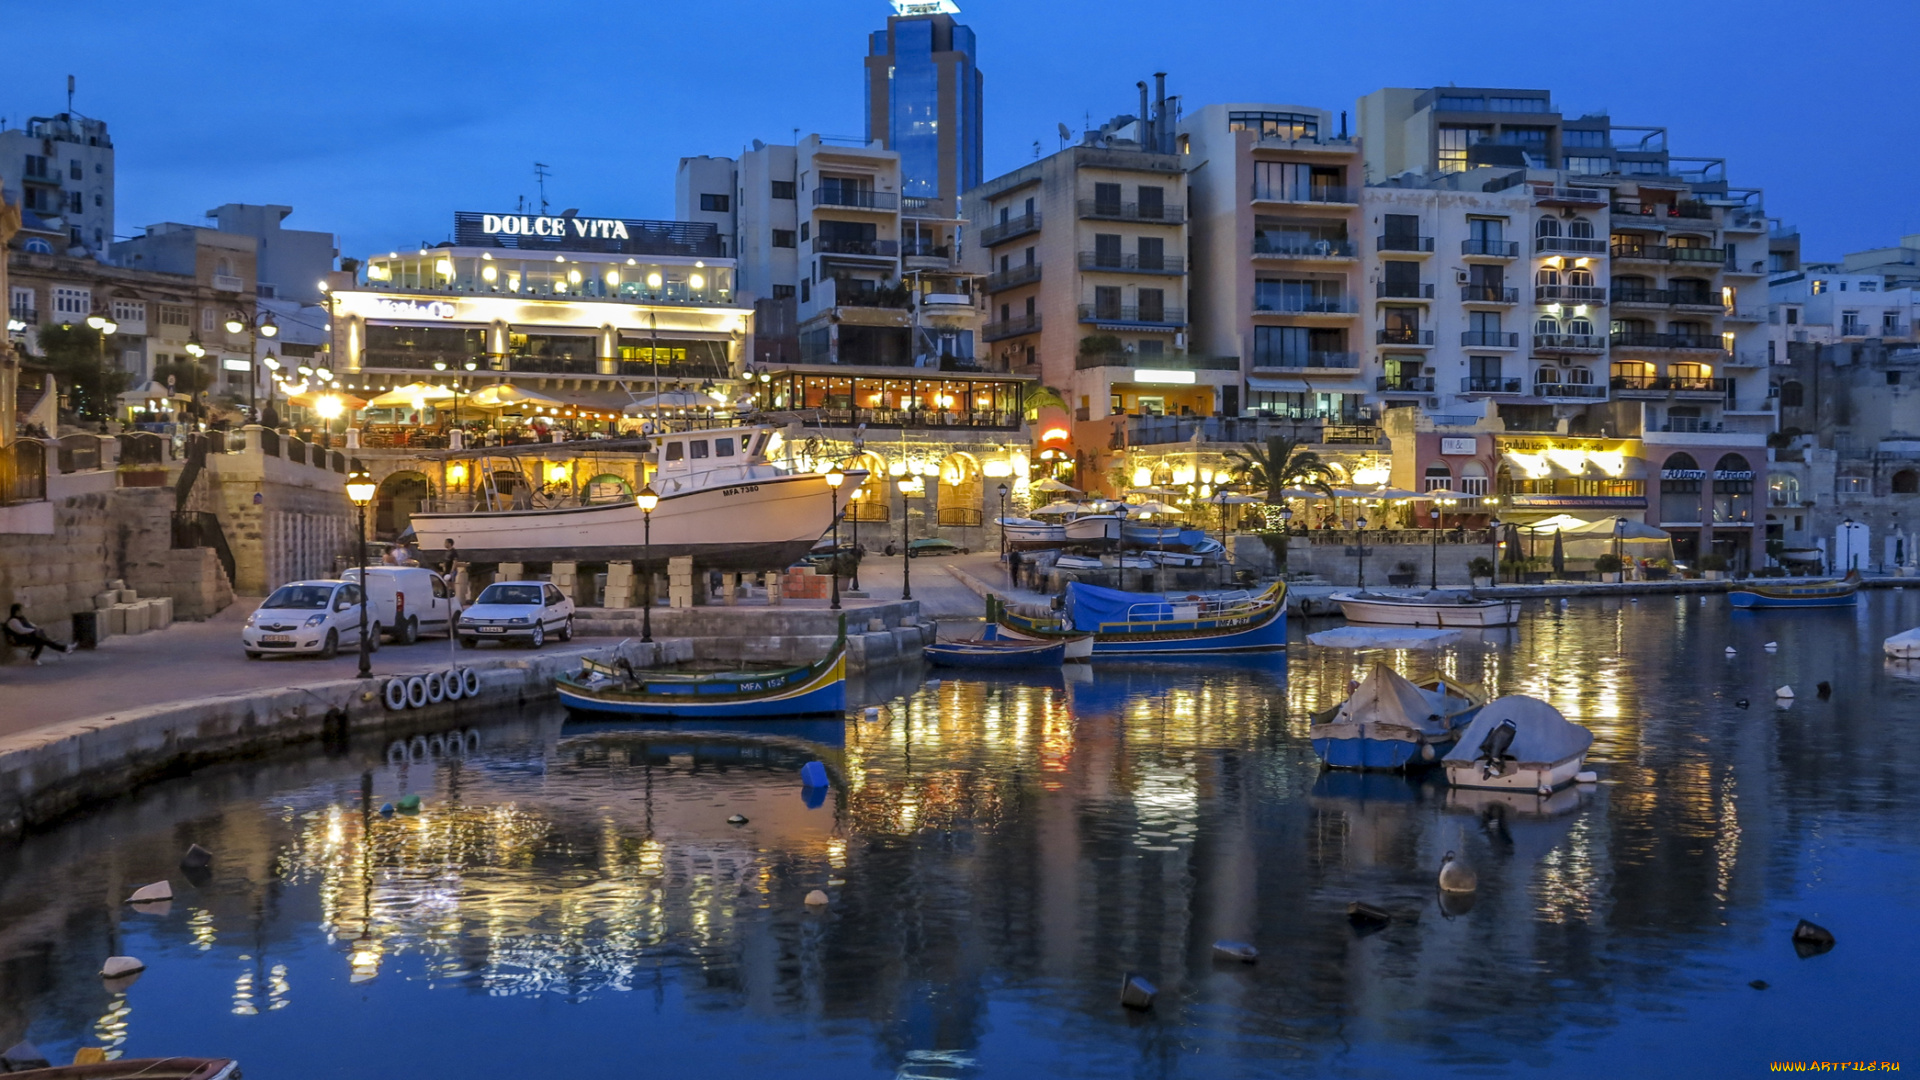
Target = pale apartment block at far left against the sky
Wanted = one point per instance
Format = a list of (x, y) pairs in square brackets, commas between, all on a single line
[(60, 174)]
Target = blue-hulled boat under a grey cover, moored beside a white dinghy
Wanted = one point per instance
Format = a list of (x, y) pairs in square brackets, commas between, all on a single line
[(1393, 724)]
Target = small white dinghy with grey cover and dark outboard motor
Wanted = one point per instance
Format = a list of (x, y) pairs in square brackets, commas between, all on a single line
[(1518, 743)]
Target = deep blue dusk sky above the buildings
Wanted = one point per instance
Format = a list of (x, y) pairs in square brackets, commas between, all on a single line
[(377, 122)]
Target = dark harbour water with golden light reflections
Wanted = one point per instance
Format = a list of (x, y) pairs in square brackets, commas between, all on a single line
[(571, 900)]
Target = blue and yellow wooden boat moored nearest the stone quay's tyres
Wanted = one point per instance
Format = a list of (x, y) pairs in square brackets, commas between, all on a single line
[(809, 691)]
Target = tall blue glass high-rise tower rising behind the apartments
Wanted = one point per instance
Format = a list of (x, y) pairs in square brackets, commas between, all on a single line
[(924, 99)]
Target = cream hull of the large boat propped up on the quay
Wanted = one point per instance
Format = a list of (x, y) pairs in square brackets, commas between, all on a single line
[(765, 524)]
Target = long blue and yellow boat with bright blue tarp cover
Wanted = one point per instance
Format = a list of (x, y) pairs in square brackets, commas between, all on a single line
[(1145, 626)]
